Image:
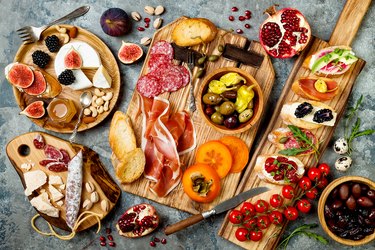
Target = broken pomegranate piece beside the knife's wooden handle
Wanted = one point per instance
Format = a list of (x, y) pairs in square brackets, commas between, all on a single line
[(138, 221)]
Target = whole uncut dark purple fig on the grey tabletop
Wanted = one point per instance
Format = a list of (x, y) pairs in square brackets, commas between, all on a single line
[(115, 22)]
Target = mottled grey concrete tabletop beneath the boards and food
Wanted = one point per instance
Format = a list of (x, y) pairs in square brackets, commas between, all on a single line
[(16, 211)]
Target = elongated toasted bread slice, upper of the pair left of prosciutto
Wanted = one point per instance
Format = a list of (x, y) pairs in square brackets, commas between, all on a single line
[(121, 135)]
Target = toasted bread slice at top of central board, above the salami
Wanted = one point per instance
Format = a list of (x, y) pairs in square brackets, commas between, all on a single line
[(193, 31)]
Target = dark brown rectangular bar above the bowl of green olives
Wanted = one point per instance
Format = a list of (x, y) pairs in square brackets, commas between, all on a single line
[(243, 56)]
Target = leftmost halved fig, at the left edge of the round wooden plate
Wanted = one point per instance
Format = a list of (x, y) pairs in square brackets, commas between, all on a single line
[(20, 75)]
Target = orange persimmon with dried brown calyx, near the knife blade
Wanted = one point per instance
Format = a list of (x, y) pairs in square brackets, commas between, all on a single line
[(201, 183)]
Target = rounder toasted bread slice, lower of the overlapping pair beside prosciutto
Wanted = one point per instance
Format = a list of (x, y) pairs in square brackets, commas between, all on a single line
[(131, 167)]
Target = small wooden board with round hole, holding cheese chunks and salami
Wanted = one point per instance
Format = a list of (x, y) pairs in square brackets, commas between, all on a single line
[(27, 160)]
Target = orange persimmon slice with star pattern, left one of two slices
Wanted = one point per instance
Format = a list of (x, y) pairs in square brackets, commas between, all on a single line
[(216, 155)]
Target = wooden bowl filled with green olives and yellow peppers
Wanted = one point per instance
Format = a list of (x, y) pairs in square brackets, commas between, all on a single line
[(230, 100)]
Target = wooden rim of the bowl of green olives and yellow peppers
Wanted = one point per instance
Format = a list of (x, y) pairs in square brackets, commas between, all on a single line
[(258, 99)]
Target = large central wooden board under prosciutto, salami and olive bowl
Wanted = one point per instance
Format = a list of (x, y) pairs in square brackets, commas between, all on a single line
[(265, 76)]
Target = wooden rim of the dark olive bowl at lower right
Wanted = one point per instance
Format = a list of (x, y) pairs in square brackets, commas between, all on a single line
[(322, 202)]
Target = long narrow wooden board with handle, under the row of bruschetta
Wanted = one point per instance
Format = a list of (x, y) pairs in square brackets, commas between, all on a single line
[(343, 34)]
